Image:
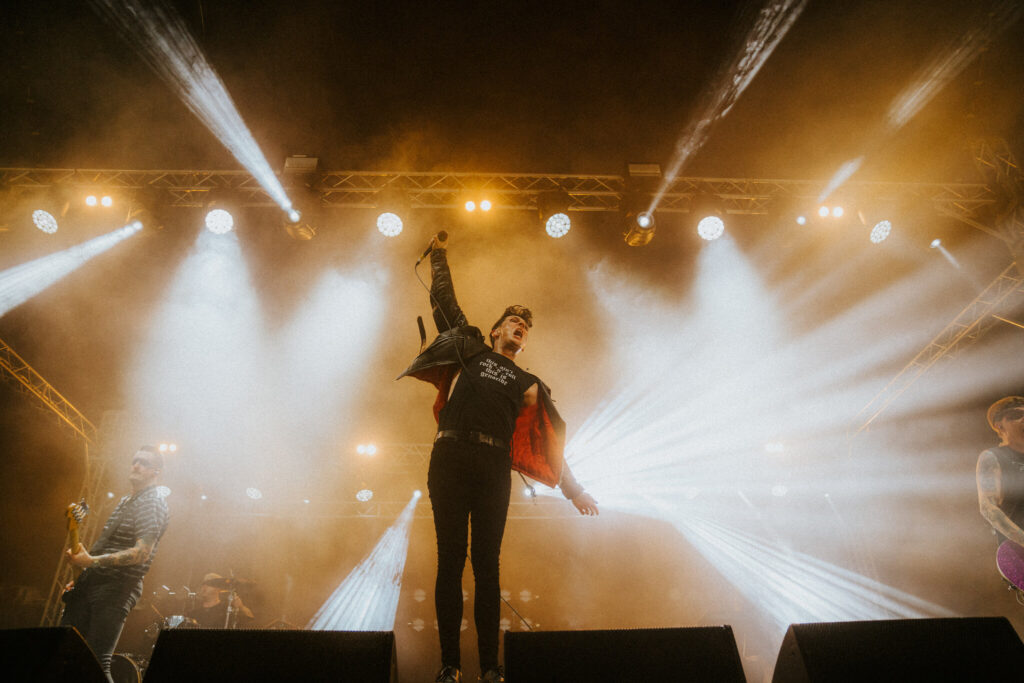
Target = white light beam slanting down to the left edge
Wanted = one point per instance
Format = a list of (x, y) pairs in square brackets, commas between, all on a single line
[(21, 283)]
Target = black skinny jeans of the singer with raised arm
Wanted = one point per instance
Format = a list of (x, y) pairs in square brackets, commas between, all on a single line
[(468, 484)]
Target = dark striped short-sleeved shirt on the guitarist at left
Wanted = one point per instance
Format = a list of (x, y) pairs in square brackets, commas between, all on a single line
[(142, 516)]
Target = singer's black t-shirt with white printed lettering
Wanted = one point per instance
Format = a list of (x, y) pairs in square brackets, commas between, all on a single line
[(489, 398)]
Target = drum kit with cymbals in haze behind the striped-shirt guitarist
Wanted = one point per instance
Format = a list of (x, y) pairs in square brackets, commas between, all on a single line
[(129, 667)]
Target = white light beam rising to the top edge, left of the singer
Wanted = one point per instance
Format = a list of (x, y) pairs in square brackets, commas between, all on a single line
[(160, 36)]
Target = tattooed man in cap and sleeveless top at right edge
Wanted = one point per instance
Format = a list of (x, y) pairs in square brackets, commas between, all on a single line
[(1001, 472)]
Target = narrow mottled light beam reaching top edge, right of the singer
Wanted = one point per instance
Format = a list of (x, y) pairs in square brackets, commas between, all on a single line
[(774, 23)]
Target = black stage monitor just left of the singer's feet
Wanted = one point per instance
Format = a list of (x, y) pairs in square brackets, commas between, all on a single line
[(214, 655)]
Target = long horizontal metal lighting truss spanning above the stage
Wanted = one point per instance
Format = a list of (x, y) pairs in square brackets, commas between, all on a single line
[(362, 190)]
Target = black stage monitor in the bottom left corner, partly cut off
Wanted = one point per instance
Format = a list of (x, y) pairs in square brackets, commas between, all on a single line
[(49, 656)]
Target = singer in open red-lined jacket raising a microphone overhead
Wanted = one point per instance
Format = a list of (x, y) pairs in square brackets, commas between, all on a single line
[(492, 417)]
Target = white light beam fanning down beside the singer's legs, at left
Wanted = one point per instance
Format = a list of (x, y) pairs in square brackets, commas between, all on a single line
[(368, 600)]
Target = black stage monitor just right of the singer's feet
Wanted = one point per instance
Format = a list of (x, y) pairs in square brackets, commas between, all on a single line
[(706, 654)]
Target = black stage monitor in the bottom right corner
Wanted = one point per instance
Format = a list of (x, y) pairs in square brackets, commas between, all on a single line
[(918, 650)]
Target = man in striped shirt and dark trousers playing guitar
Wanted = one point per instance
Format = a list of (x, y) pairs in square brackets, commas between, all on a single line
[(99, 604)]
